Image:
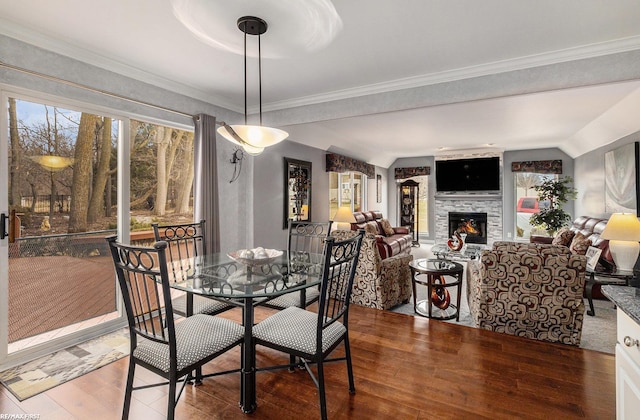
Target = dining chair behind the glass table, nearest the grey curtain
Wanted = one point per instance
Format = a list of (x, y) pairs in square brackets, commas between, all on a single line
[(185, 243)]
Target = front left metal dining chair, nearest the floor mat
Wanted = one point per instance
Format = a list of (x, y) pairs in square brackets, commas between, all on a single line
[(171, 350)]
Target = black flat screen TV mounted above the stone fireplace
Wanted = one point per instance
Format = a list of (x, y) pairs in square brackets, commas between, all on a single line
[(476, 174)]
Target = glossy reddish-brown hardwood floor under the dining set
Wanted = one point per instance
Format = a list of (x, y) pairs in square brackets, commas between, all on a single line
[(405, 368)]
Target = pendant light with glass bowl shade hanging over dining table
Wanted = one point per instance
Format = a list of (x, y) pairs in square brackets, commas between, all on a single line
[(252, 138)]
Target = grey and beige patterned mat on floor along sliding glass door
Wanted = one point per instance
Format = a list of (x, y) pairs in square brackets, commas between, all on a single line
[(42, 374)]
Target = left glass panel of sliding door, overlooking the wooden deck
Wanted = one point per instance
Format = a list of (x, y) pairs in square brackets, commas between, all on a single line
[(61, 201)]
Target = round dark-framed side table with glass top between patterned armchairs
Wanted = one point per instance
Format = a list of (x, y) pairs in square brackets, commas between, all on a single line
[(432, 273)]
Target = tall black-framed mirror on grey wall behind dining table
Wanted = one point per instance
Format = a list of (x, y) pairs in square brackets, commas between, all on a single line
[(297, 190)]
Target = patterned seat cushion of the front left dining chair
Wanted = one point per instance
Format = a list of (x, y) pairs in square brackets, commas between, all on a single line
[(197, 337)]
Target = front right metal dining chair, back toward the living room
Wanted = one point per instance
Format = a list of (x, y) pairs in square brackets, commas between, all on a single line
[(311, 336)]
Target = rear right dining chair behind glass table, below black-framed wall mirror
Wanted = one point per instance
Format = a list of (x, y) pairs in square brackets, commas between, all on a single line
[(305, 241)]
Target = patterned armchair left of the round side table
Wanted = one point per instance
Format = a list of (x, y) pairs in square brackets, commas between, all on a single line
[(378, 283)]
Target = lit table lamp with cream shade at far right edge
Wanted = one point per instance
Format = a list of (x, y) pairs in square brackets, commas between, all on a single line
[(623, 233)]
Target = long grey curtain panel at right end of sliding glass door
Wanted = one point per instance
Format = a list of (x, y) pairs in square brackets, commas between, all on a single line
[(205, 188)]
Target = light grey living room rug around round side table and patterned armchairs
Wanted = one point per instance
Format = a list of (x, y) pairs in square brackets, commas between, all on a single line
[(598, 332)]
